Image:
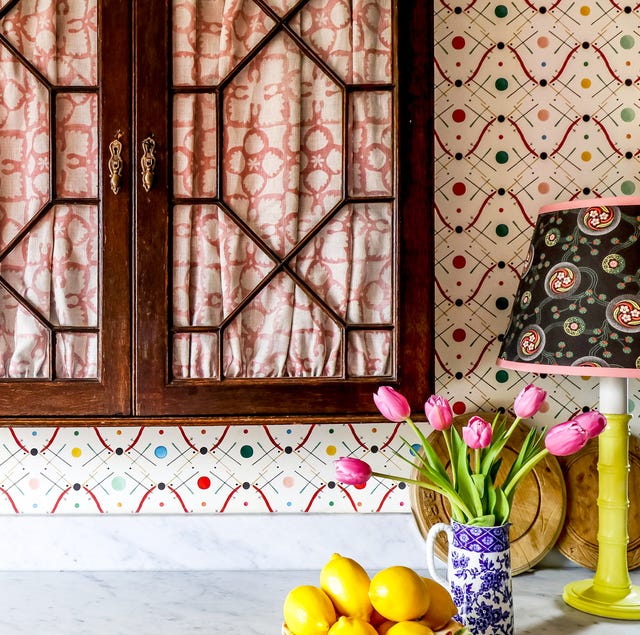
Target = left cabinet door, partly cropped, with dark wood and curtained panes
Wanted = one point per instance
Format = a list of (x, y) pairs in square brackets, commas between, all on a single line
[(64, 251)]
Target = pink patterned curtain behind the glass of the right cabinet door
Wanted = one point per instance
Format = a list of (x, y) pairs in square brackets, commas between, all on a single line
[(291, 262)]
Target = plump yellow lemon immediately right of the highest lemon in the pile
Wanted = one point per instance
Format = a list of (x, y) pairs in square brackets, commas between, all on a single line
[(399, 594)]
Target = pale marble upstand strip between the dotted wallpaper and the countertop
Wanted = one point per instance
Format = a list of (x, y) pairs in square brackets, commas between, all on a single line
[(206, 542)]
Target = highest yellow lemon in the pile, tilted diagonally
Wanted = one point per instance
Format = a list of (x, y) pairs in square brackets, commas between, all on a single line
[(347, 584)]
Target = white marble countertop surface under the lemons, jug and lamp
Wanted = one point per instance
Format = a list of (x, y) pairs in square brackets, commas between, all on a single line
[(231, 603)]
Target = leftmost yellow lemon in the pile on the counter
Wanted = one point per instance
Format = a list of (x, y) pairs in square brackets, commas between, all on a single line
[(308, 611)]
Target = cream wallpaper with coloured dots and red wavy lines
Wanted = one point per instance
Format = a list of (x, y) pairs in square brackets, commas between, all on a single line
[(535, 102)]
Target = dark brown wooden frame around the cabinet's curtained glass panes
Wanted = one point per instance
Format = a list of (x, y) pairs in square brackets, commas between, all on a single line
[(161, 401)]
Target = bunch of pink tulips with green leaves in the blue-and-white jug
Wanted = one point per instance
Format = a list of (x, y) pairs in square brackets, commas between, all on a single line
[(470, 485)]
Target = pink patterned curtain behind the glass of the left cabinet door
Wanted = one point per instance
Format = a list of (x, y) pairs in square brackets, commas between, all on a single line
[(48, 252)]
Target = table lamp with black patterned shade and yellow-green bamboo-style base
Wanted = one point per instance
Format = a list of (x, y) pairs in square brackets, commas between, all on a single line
[(577, 312)]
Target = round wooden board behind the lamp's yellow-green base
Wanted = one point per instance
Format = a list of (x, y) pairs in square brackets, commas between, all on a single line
[(578, 540)]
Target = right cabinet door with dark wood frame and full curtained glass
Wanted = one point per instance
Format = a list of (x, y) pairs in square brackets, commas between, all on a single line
[(282, 267)]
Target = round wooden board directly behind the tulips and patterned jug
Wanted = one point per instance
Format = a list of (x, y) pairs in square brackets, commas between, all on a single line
[(538, 510)]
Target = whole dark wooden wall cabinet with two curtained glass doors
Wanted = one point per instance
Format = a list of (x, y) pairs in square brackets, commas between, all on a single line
[(275, 261)]
